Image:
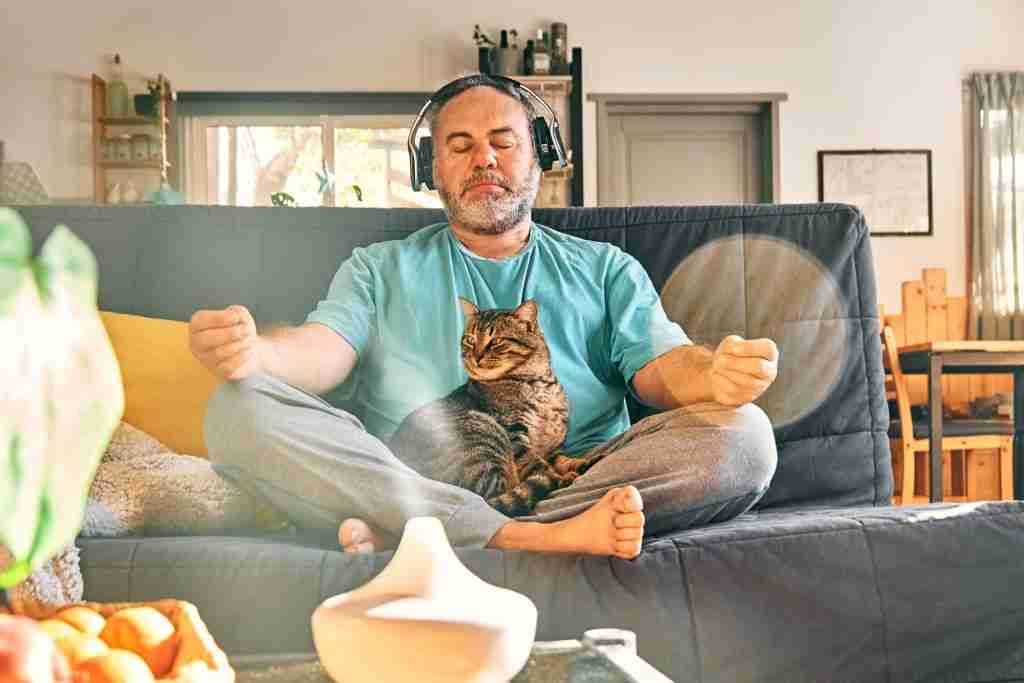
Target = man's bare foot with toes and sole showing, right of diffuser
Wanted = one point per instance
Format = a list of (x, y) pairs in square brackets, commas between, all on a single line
[(614, 526)]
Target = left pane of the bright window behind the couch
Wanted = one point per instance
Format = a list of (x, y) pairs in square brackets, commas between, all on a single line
[(248, 164)]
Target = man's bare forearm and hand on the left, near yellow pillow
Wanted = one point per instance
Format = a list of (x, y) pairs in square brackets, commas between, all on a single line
[(312, 357)]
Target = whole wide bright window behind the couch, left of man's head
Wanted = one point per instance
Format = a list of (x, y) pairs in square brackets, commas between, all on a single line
[(244, 160)]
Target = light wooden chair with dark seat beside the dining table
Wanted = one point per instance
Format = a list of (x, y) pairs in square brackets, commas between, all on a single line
[(912, 439)]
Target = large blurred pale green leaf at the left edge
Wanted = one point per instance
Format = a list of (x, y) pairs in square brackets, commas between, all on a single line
[(61, 393)]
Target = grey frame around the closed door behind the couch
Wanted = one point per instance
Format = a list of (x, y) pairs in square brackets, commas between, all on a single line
[(764, 106)]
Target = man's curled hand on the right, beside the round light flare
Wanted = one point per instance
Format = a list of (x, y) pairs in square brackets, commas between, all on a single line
[(743, 369)]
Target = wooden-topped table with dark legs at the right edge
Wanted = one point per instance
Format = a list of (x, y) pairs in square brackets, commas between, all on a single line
[(967, 358)]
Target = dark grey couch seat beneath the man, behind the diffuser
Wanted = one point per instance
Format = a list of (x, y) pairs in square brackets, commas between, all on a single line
[(852, 594)]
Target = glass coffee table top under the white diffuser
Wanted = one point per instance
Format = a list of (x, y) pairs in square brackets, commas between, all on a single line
[(602, 656)]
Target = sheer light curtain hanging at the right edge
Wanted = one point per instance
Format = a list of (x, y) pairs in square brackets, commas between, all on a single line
[(998, 225)]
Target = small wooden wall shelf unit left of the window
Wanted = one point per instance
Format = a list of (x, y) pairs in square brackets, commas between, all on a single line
[(102, 129)]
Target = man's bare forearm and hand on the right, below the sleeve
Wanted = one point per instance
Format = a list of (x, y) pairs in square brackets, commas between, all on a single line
[(736, 373)]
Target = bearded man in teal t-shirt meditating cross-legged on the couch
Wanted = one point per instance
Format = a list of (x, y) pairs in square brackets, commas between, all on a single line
[(396, 328)]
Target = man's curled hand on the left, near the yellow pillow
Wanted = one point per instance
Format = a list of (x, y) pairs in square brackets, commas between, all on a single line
[(227, 343)]
